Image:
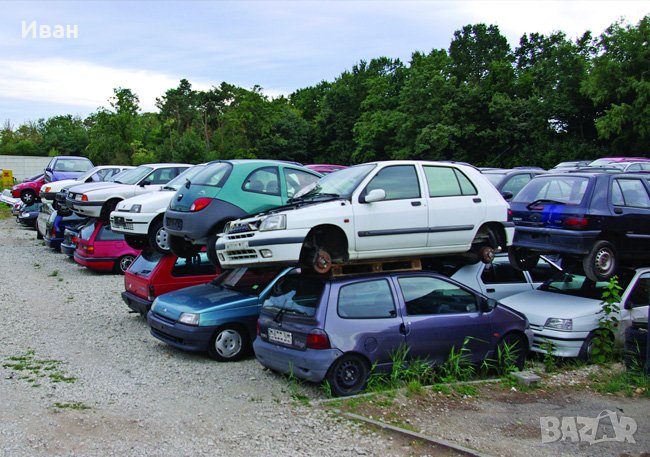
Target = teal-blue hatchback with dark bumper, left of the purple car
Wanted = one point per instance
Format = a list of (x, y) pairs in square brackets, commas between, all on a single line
[(218, 317)]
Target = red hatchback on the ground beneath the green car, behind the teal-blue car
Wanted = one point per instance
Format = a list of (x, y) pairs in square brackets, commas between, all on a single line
[(153, 274)]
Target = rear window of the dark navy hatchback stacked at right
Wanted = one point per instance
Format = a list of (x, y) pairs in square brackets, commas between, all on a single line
[(561, 189)]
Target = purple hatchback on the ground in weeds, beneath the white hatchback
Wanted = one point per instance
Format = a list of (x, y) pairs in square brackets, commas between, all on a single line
[(336, 329)]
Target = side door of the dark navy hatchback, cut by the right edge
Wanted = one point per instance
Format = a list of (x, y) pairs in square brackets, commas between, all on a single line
[(631, 207)]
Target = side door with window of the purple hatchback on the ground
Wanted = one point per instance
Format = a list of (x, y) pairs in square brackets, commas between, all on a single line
[(440, 315)]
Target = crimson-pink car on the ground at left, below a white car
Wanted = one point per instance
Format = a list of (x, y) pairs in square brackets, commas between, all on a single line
[(99, 248)]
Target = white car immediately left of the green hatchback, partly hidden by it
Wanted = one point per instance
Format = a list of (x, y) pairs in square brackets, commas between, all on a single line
[(140, 218)]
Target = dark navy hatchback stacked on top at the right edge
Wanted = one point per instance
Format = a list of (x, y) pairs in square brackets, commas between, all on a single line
[(602, 219)]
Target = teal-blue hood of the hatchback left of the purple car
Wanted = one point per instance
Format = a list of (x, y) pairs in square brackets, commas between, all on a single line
[(199, 299)]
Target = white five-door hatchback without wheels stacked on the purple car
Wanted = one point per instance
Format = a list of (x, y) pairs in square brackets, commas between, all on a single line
[(379, 210)]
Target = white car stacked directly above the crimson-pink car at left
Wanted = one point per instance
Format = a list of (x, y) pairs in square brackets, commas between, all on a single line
[(100, 199)]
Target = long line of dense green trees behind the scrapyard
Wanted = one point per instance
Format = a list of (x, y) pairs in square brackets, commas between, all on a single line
[(479, 101)]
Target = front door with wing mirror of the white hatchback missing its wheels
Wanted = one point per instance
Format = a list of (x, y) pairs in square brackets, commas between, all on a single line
[(397, 222)]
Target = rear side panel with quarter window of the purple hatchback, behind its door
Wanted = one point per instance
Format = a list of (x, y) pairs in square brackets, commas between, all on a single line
[(365, 319)]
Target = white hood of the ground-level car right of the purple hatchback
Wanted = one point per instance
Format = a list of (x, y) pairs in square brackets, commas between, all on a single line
[(539, 305)]
